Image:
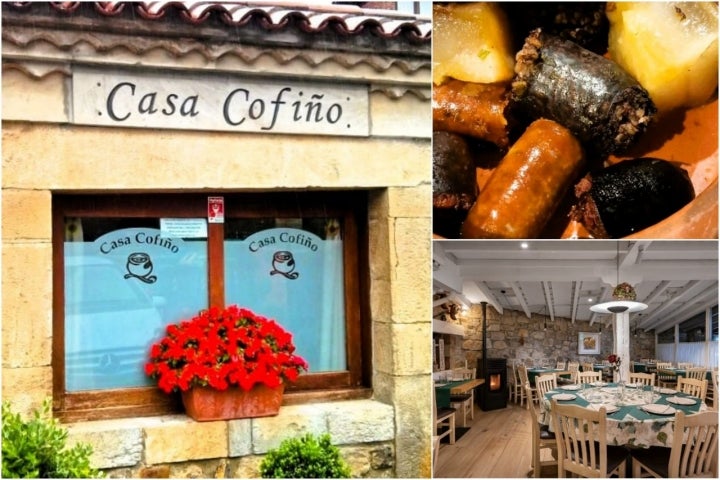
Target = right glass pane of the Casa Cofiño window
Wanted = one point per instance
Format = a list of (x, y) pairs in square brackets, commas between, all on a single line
[(291, 270)]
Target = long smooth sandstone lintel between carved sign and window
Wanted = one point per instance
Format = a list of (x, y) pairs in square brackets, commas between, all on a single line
[(289, 160)]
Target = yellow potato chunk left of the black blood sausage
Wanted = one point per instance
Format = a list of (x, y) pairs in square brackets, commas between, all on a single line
[(471, 42)]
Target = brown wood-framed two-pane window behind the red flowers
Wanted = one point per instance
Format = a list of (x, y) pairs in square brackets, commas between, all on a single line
[(128, 265)]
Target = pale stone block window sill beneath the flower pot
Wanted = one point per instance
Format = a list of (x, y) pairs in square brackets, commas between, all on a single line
[(176, 438)]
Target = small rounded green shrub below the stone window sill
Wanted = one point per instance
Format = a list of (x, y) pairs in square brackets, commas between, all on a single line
[(305, 457)]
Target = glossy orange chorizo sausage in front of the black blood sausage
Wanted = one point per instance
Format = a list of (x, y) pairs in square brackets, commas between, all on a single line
[(526, 187)]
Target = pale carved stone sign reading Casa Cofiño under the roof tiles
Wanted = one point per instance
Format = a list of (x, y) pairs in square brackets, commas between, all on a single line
[(224, 103)]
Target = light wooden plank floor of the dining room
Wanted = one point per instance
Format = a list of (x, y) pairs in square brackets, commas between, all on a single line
[(498, 445)]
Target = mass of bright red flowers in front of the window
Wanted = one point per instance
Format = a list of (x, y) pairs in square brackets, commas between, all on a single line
[(223, 347)]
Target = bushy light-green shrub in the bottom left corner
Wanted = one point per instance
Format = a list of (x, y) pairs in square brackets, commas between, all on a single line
[(36, 448)]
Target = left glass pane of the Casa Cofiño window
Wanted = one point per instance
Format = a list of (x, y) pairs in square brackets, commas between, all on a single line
[(123, 284)]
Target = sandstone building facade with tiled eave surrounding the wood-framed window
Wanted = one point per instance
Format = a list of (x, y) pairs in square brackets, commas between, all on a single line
[(382, 427)]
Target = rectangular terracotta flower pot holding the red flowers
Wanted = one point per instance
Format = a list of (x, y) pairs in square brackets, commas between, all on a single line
[(205, 404)]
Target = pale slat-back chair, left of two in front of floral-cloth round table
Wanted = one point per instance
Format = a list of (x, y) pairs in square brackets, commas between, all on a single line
[(576, 428)]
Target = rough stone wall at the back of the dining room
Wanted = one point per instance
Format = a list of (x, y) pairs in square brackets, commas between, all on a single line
[(514, 336)]
